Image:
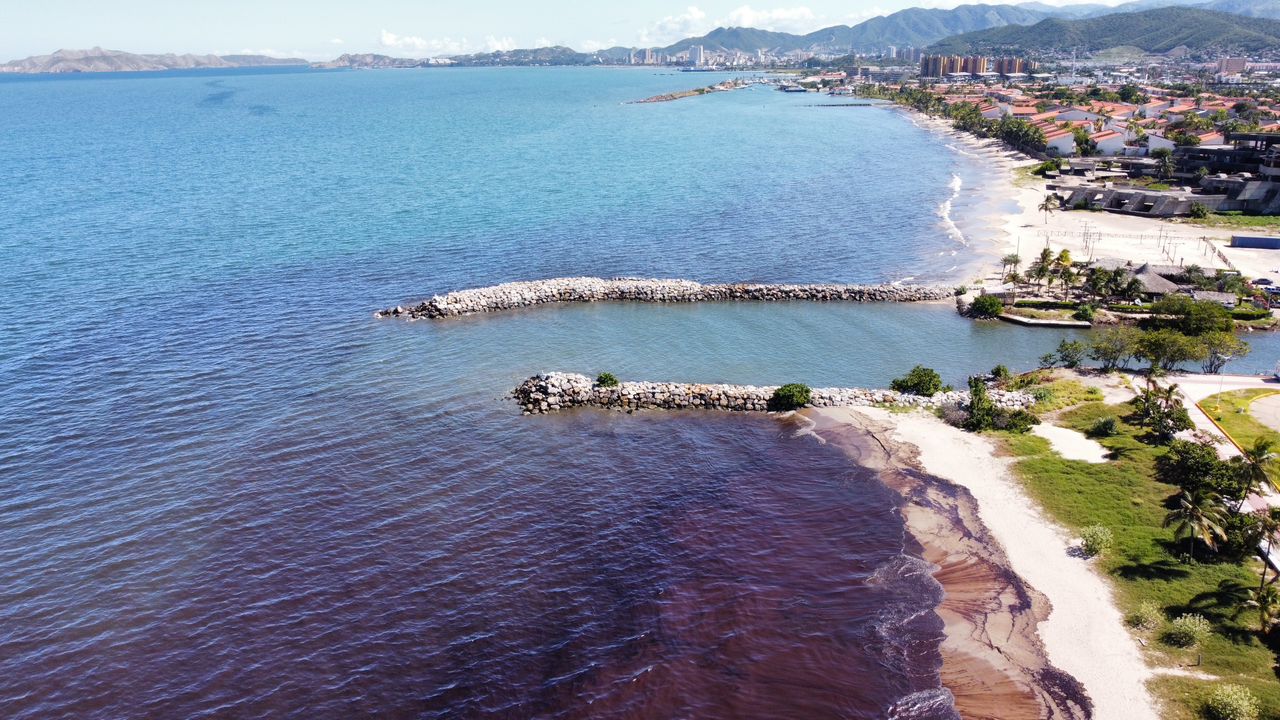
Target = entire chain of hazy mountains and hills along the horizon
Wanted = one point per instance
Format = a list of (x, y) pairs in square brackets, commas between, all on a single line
[(1025, 28)]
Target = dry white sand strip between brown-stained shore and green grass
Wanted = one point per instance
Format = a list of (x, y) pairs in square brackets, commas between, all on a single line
[(1085, 635)]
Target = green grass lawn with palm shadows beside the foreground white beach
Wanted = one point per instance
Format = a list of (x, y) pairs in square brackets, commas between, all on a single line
[(1145, 563)]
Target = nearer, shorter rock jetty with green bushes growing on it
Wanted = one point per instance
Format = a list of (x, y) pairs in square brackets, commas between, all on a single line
[(551, 393)]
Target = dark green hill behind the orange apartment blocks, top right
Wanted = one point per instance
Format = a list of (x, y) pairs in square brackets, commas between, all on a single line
[(1153, 31)]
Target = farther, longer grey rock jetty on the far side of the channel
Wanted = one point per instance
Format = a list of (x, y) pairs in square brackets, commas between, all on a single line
[(511, 297)]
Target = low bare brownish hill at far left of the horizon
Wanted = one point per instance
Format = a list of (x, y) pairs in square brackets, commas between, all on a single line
[(99, 61)]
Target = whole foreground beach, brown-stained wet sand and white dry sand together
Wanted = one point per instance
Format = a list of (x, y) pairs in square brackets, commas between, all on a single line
[(1031, 632)]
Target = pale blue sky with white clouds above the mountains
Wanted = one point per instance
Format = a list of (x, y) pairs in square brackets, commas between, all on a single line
[(415, 29)]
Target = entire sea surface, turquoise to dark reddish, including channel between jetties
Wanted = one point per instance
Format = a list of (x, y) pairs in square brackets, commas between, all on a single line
[(227, 491)]
